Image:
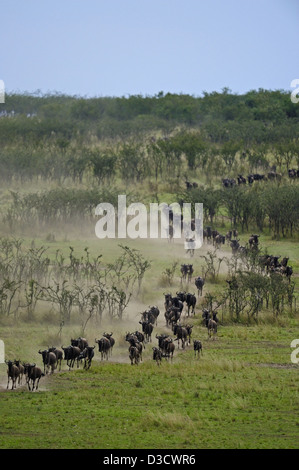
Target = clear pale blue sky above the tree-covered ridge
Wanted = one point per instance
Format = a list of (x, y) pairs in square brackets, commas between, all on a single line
[(127, 47)]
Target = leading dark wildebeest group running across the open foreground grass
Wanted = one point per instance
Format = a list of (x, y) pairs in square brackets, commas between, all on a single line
[(80, 352)]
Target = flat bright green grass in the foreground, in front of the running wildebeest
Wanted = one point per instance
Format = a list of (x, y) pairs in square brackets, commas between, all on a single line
[(241, 393)]
